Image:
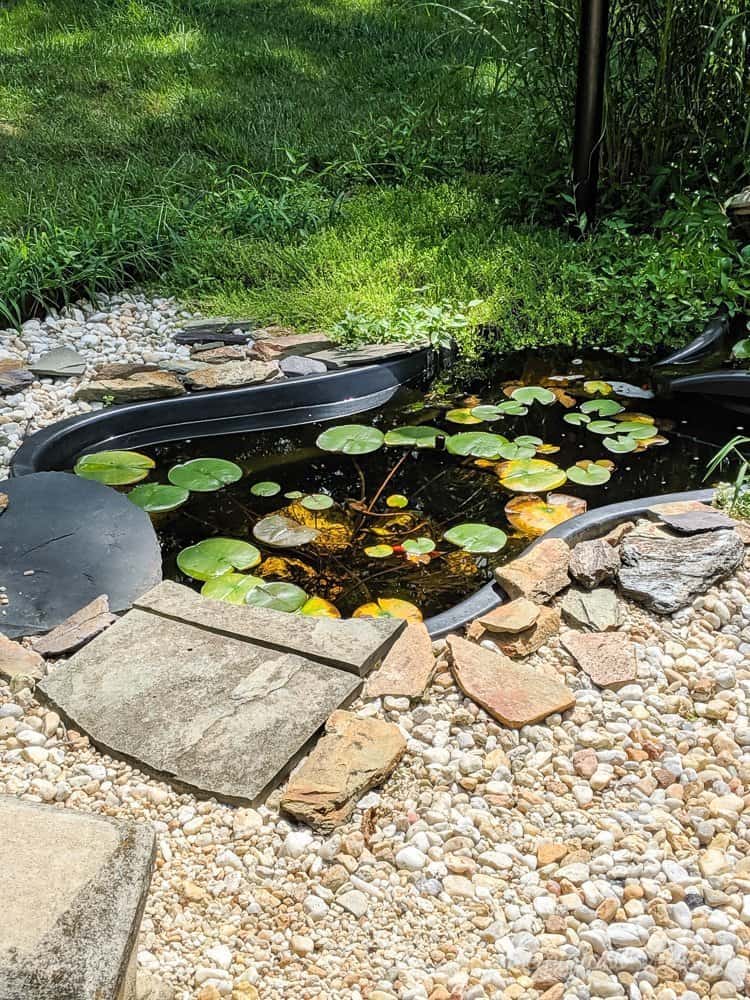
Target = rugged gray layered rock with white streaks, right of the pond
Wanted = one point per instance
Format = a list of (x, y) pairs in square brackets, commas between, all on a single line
[(664, 572)]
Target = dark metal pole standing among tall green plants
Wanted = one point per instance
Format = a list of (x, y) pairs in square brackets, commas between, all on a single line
[(592, 64)]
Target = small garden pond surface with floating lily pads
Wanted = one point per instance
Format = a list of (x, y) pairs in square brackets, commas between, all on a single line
[(407, 510)]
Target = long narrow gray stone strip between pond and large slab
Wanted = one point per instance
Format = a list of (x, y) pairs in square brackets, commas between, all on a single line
[(356, 645)]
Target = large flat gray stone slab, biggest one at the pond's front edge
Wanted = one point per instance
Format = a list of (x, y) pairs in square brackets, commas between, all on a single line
[(213, 714)]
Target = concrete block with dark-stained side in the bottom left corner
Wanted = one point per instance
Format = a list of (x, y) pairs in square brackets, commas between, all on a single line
[(73, 888)]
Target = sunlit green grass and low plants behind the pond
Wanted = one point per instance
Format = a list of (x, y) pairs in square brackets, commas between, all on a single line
[(297, 160)]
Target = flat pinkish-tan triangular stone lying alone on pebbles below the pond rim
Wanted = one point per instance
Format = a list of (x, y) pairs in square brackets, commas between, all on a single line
[(512, 693)]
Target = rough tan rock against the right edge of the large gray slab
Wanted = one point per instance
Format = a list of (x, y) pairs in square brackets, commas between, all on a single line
[(353, 756)]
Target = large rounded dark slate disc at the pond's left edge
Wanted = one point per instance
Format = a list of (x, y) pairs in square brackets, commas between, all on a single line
[(64, 541)]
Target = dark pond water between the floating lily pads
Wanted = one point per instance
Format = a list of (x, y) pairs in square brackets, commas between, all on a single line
[(439, 490)]
